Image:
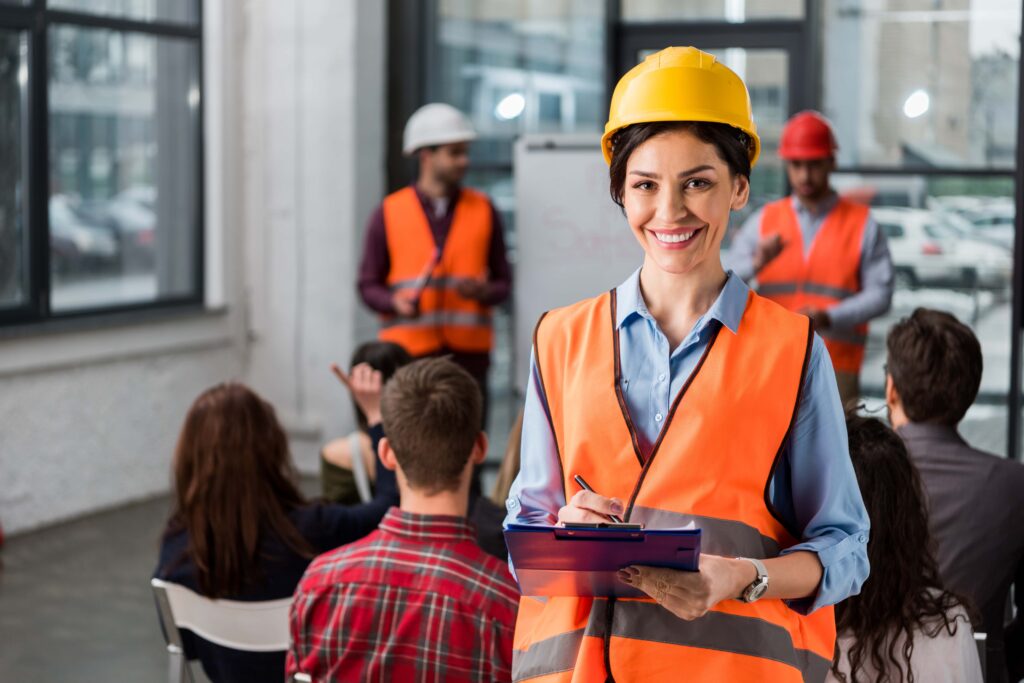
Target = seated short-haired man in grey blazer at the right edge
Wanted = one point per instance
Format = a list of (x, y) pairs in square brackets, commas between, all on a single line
[(976, 499)]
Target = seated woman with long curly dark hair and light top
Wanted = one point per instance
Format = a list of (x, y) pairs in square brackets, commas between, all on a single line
[(904, 626)]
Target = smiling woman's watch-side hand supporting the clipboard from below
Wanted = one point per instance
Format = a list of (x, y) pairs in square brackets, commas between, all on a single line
[(690, 595)]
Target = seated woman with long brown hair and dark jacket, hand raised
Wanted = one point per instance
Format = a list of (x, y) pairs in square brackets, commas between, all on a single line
[(241, 530)]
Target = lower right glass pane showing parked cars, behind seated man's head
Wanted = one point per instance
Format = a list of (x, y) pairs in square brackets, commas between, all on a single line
[(952, 244)]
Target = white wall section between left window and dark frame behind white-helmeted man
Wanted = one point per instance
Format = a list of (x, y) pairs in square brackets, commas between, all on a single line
[(315, 168)]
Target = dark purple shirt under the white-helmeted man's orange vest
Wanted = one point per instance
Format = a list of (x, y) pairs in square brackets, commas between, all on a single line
[(376, 265)]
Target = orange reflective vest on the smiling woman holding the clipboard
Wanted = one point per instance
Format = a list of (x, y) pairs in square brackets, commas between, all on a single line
[(711, 465)]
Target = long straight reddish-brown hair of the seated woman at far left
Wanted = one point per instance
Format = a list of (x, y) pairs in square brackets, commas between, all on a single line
[(235, 486)]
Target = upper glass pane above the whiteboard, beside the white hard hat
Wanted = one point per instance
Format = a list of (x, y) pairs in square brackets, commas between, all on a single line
[(521, 68)]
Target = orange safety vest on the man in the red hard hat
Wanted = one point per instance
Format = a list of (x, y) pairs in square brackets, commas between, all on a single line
[(830, 274)]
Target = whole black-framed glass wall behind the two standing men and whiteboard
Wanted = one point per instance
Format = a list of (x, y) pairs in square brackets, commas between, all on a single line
[(923, 96)]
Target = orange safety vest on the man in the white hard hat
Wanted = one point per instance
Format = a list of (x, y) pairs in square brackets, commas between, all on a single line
[(447, 320)]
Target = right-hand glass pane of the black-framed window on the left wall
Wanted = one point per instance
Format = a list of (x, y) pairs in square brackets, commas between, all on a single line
[(124, 145)]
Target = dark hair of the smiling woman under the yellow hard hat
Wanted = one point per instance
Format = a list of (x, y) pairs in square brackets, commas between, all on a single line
[(733, 145)]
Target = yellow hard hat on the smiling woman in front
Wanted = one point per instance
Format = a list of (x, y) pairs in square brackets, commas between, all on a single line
[(680, 84)]
